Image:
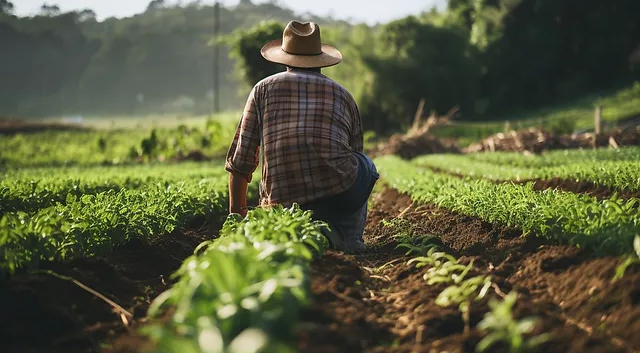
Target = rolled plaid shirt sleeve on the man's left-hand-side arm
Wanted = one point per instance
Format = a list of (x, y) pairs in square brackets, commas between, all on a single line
[(242, 157)]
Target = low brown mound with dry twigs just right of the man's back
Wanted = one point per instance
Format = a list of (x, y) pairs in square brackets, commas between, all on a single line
[(413, 145)]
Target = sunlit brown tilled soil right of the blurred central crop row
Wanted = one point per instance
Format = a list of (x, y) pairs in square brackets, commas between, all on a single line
[(376, 303)]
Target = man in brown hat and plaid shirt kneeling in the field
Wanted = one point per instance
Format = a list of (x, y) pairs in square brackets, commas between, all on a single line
[(310, 132)]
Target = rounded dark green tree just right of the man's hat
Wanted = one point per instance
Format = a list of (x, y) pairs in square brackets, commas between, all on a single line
[(419, 60)]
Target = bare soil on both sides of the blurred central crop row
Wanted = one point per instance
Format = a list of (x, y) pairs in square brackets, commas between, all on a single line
[(370, 302)]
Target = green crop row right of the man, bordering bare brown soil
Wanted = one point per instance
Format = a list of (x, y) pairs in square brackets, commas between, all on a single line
[(604, 226)]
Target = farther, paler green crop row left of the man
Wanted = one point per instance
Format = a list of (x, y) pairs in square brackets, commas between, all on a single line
[(31, 189)]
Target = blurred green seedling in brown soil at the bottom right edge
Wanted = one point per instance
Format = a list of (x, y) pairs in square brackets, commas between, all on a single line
[(503, 327)]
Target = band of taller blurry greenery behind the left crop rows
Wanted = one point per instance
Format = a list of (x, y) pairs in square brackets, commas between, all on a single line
[(116, 146)]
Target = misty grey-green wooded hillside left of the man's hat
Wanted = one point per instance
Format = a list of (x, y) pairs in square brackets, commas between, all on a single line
[(158, 61)]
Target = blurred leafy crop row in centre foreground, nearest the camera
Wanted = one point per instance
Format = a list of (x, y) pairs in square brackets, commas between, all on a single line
[(241, 292)]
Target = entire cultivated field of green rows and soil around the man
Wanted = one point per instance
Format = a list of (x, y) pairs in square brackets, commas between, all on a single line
[(466, 253)]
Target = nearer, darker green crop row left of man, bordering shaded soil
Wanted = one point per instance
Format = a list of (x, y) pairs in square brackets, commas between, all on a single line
[(95, 224)]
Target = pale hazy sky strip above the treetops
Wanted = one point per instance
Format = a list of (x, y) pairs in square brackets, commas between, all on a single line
[(370, 11)]
